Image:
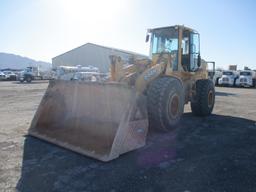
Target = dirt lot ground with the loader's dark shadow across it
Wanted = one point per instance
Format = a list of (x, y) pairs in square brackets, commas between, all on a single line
[(216, 153)]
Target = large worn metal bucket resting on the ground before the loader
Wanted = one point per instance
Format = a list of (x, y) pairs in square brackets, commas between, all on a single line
[(100, 120)]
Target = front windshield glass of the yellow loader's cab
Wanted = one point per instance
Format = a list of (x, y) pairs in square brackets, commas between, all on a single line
[(164, 40)]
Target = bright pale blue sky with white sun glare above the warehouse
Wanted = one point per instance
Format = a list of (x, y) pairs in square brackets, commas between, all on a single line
[(42, 29)]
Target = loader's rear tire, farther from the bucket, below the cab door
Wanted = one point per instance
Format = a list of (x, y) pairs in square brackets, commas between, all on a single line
[(203, 102)]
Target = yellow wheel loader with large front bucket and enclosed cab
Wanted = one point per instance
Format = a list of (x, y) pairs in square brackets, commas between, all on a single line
[(108, 118)]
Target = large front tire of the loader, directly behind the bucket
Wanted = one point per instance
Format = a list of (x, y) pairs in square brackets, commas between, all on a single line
[(165, 103)]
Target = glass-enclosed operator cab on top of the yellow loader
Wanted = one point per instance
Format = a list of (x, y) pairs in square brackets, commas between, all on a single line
[(179, 42)]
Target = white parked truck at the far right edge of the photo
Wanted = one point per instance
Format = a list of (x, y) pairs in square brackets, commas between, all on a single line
[(247, 78)]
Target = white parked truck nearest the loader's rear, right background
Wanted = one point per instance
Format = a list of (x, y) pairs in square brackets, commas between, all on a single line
[(228, 78)]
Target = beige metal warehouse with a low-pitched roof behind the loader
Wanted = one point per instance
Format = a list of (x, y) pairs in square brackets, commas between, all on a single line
[(92, 55)]
